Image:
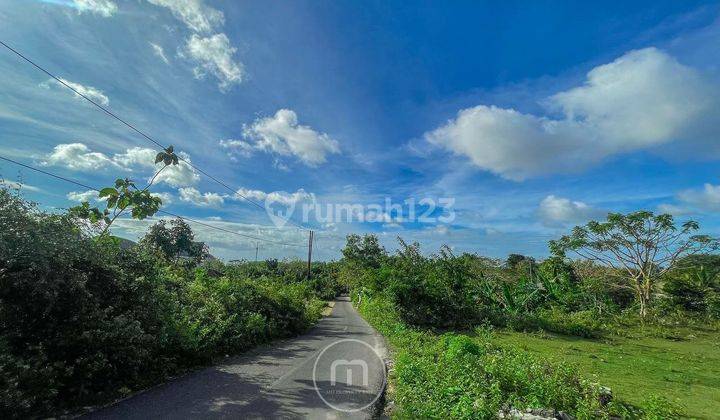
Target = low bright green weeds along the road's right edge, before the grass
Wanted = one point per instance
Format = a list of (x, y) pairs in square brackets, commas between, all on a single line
[(457, 376)]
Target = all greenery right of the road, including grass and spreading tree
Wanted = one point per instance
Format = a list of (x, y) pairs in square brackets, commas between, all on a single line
[(630, 330)]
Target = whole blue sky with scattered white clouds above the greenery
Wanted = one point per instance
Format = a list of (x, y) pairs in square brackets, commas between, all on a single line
[(532, 116)]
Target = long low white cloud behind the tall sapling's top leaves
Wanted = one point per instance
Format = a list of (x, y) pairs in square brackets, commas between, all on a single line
[(77, 156)]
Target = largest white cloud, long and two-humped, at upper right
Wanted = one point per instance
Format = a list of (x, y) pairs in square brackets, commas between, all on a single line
[(642, 100)]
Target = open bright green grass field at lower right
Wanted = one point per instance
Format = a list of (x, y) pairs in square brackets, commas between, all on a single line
[(686, 370)]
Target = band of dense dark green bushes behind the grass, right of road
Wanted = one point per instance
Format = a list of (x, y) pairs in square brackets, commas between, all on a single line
[(578, 298)]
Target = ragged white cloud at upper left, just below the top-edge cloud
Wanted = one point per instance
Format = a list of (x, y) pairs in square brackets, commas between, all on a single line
[(214, 55)]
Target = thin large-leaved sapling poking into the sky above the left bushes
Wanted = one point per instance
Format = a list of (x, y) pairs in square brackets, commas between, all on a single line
[(125, 196)]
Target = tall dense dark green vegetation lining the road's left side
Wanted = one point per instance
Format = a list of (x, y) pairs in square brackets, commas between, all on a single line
[(84, 320)]
